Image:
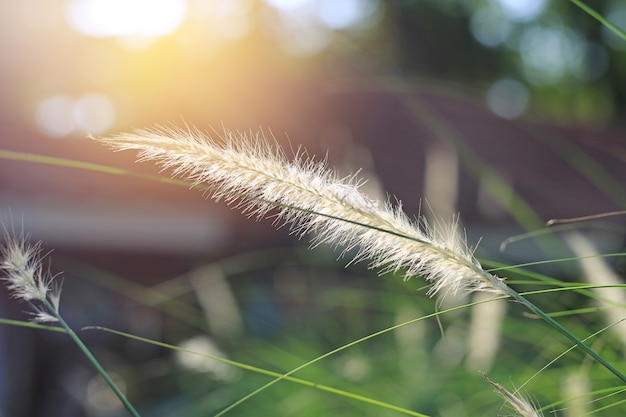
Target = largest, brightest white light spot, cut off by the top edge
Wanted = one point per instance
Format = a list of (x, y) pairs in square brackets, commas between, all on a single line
[(126, 18)]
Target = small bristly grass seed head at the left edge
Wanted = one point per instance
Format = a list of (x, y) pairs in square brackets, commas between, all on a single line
[(26, 279)]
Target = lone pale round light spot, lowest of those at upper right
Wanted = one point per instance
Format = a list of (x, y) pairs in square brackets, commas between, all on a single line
[(508, 98)]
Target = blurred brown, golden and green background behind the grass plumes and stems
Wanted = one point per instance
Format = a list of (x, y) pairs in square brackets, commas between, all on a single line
[(509, 112)]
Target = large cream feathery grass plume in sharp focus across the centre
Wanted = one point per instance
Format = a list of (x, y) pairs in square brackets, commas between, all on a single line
[(256, 176)]
